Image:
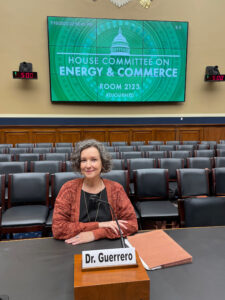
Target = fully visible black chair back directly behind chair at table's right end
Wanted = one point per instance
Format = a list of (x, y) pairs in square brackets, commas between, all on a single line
[(193, 182)]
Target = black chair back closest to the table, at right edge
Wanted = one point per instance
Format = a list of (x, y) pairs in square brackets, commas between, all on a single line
[(195, 212)]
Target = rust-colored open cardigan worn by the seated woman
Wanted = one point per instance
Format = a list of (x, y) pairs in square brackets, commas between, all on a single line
[(66, 214)]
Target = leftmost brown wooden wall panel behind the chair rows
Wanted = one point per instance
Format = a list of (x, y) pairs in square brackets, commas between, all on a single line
[(14, 136)]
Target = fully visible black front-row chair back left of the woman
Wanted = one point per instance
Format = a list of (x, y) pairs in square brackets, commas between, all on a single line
[(28, 188)]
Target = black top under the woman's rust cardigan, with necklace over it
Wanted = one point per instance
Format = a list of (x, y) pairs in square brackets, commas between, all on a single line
[(91, 210)]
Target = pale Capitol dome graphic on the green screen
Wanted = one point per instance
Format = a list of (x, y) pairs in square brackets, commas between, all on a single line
[(120, 46)]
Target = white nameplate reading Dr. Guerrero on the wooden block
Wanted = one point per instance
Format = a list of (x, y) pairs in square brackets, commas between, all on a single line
[(108, 258)]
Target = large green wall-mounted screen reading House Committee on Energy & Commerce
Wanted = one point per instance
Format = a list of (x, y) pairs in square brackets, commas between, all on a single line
[(108, 60)]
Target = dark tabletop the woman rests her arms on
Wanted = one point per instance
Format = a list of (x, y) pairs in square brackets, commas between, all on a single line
[(42, 269)]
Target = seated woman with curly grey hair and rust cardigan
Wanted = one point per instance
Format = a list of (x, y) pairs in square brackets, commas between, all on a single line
[(78, 218)]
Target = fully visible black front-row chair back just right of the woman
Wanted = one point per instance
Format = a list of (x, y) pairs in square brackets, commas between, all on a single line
[(151, 184)]
